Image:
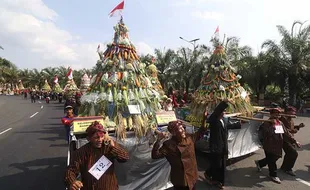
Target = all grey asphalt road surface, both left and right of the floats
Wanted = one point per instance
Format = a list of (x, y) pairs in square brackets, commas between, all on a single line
[(33, 152)]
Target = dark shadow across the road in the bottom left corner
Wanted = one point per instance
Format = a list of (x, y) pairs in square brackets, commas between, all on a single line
[(38, 174)]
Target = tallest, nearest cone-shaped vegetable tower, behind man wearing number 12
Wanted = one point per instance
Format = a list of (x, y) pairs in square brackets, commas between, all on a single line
[(121, 90)]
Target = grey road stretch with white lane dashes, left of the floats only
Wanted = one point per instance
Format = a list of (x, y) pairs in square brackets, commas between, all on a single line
[(33, 152)]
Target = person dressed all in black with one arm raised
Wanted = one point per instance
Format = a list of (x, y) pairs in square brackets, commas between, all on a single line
[(218, 145)]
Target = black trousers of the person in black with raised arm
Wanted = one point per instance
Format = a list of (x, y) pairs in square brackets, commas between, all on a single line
[(217, 167)]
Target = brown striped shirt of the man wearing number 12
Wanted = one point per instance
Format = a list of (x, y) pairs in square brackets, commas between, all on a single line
[(85, 157)]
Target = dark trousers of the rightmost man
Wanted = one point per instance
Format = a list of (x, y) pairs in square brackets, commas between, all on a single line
[(290, 156)]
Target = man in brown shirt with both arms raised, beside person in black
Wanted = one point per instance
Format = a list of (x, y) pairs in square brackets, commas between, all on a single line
[(180, 153)]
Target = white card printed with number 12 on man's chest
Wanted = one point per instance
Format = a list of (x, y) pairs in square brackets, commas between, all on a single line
[(100, 167)]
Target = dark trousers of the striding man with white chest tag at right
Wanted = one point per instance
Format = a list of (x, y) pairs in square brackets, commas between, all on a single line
[(270, 160)]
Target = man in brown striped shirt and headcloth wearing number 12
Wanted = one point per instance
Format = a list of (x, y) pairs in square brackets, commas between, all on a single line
[(85, 157)]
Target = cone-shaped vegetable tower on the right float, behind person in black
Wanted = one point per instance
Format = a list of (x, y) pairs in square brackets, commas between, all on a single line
[(220, 82)]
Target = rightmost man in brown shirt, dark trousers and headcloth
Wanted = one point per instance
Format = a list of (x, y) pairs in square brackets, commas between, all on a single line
[(289, 143)]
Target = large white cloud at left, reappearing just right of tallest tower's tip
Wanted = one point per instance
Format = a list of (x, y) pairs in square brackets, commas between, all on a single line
[(32, 39)]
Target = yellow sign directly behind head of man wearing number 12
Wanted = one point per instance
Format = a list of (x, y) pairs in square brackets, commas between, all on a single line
[(80, 124)]
